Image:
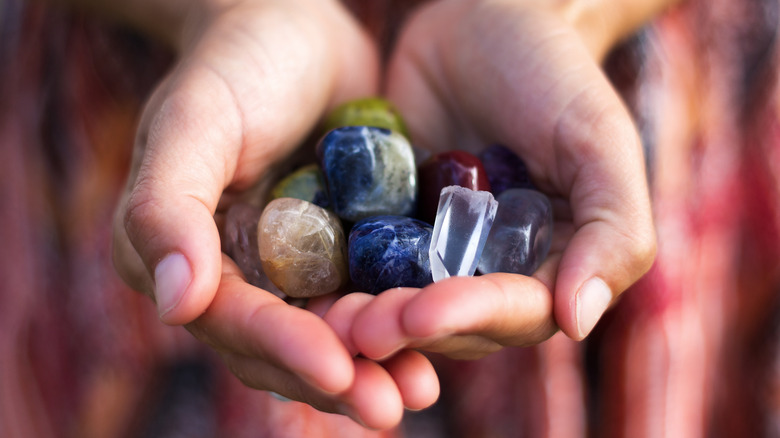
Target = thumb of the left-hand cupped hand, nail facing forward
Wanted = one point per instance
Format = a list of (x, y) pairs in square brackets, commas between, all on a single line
[(167, 219)]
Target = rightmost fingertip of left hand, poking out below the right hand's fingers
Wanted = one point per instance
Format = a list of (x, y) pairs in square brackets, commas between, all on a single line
[(415, 377)]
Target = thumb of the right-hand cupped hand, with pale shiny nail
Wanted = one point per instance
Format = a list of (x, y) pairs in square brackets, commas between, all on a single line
[(614, 242)]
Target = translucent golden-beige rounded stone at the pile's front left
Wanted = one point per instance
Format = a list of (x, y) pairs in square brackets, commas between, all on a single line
[(302, 248)]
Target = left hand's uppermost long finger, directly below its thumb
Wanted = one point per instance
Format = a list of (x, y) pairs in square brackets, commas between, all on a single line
[(248, 321)]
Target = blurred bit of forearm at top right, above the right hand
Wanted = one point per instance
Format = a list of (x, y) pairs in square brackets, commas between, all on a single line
[(604, 23)]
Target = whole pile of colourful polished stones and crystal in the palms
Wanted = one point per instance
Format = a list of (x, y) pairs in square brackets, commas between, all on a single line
[(407, 224)]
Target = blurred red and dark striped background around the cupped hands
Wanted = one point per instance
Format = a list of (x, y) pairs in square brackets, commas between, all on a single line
[(690, 351)]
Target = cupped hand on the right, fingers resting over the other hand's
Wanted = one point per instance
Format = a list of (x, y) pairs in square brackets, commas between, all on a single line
[(470, 73)]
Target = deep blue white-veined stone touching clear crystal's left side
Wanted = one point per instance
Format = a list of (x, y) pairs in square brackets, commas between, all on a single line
[(389, 251)]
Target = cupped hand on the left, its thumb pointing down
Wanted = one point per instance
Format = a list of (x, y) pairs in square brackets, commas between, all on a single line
[(253, 78)]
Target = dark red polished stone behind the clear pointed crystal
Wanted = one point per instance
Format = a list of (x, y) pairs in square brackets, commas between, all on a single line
[(453, 168)]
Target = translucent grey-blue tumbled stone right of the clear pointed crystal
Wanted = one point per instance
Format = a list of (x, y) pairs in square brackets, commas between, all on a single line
[(521, 234)]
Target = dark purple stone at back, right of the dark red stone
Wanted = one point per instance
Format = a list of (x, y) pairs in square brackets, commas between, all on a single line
[(505, 169)]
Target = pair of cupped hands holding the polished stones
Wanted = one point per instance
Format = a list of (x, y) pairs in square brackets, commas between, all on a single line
[(254, 77)]
